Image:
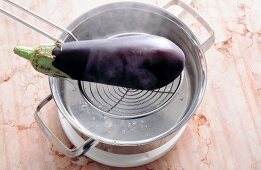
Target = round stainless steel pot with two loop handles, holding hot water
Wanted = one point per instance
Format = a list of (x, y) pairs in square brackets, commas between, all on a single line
[(107, 114)]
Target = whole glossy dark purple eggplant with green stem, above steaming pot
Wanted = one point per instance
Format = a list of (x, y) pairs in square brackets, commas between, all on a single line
[(144, 62)]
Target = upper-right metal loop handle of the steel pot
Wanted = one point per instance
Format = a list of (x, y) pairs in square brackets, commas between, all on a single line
[(210, 40)]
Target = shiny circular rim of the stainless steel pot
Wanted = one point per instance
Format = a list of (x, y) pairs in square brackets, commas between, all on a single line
[(193, 106)]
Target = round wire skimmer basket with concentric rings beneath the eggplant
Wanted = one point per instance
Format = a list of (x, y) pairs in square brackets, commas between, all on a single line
[(127, 103)]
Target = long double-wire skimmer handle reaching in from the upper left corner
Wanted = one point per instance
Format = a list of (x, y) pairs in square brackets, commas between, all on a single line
[(39, 18)]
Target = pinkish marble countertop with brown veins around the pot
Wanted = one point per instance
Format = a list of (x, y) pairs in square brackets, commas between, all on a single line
[(225, 132)]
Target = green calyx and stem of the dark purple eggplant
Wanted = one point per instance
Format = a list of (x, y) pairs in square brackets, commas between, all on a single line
[(41, 59)]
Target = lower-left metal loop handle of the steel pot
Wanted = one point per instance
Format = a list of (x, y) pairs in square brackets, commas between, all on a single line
[(75, 152)]
